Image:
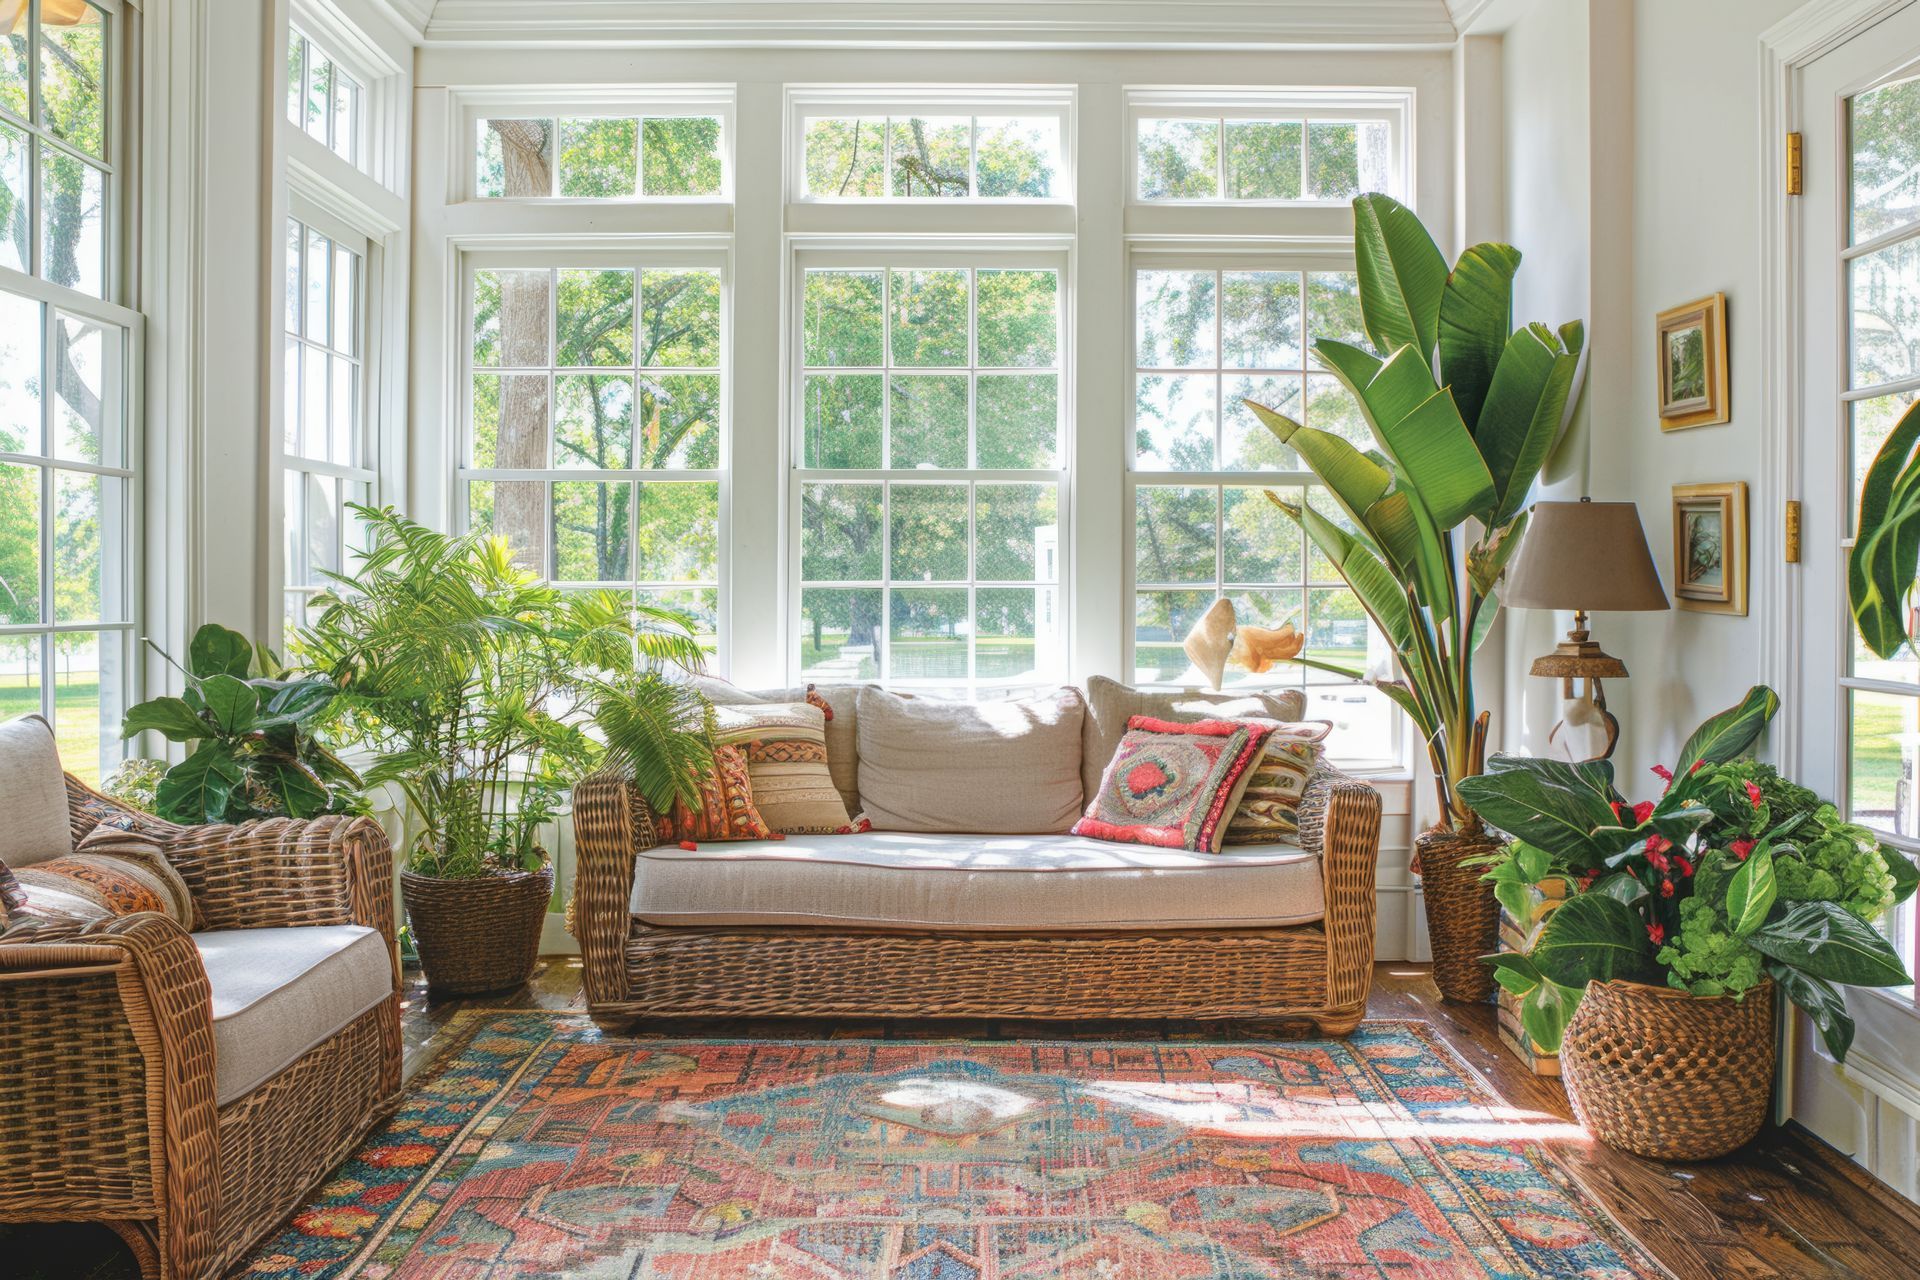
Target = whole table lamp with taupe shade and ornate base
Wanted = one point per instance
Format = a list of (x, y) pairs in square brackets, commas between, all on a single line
[(1589, 557)]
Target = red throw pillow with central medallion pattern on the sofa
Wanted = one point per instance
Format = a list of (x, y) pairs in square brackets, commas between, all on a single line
[(1170, 784)]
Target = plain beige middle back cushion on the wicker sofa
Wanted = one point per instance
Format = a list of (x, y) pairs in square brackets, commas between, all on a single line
[(994, 769)]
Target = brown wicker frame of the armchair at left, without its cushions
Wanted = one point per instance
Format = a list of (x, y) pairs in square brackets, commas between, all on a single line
[(108, 1106)]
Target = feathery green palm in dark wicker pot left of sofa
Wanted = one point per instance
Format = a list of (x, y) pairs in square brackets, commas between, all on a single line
[(469, 682)]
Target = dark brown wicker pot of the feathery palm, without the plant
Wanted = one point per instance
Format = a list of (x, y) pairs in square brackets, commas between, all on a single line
[(477, 936)]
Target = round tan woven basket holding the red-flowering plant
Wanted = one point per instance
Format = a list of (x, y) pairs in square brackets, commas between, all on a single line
[(1662, 1074)]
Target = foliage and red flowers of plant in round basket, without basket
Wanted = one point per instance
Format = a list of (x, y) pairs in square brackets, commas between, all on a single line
[(1729, 878)]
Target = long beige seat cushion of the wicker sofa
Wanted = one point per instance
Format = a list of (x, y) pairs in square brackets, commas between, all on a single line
[(976, 884)]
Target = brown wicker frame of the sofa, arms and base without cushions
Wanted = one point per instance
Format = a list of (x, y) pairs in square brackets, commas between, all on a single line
[(1312, 976)]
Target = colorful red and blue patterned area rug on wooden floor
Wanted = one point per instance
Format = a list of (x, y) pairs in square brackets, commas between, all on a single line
[(542, 1149)]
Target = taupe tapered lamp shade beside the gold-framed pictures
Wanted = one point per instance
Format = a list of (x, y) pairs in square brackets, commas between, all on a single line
[(1587, 557)]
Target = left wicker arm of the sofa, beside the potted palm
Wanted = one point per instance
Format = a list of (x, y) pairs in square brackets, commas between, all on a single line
[(612, 826)]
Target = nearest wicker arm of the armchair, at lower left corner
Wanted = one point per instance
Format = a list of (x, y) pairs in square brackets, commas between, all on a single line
[(107, 1102)]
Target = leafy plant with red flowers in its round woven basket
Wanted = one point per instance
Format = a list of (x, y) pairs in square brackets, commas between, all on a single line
[(1656, 980)]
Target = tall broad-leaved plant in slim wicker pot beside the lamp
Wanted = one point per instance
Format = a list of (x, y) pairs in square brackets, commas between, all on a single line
[(1466, 412)]
